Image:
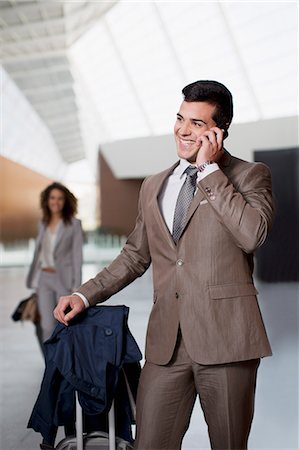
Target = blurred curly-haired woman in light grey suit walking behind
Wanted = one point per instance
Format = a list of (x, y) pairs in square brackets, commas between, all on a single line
[(57, 261)]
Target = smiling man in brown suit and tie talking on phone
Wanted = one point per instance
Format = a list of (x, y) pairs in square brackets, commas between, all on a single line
[(205, 333)]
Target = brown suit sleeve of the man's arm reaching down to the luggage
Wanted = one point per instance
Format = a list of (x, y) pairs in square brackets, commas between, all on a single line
[(131, 263)]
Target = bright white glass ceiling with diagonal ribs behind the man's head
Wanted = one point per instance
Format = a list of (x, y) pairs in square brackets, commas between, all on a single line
[(136, 60)]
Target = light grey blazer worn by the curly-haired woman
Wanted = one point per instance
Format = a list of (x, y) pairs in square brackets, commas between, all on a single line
[(68, 255)]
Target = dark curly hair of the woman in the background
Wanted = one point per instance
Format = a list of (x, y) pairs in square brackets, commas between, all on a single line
[(70, 203)]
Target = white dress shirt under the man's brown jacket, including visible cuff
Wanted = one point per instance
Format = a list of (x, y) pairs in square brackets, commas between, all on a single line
[(169, 195)]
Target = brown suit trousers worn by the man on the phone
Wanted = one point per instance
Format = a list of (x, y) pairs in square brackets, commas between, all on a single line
[(166, 396)]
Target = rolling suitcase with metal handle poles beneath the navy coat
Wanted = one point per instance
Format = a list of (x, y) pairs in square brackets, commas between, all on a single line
[(97, 440)]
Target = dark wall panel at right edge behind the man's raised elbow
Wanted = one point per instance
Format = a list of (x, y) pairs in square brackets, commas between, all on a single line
[(278, 258)]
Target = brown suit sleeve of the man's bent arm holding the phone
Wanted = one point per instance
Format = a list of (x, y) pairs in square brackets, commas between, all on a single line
[(246, 210)]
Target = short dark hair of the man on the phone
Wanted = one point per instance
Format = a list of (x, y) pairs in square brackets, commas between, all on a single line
[(214, 93)]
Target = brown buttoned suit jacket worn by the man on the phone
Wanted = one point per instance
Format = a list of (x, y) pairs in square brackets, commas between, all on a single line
[(204, 283)]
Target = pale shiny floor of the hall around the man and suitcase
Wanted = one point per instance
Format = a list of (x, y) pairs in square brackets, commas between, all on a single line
[(275, 424)]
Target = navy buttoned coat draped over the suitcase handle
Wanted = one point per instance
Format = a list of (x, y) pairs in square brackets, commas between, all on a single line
[(87, 356)]
